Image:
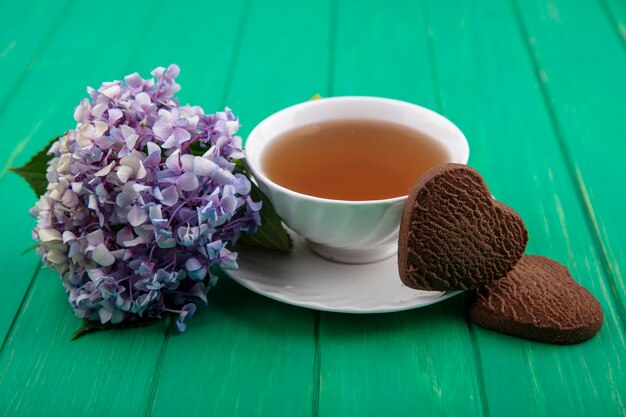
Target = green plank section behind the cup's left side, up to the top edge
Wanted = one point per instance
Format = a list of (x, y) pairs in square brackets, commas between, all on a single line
[(283, 59)]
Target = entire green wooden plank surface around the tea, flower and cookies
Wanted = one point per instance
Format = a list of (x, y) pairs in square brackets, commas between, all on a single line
[(537, 86)]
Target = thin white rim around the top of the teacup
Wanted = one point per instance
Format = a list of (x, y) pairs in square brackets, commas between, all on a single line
[(257, 172)]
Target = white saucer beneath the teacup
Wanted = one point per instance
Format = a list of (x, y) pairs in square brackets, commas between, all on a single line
[(305, 279)]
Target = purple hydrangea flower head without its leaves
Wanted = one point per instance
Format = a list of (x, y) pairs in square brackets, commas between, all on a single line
[(132, 220)]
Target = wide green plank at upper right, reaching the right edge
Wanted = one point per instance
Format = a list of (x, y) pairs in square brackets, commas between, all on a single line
[(589, 117)]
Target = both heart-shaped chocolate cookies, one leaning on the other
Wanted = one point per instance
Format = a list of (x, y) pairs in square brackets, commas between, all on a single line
[(455, 236)]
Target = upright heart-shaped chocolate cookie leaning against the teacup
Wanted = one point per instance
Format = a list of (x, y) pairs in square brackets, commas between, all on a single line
[(453, 235)]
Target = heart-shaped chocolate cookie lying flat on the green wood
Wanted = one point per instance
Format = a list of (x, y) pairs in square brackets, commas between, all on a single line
[(538, 300)]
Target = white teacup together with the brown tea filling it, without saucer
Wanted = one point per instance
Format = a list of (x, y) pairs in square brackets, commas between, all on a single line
[(338, 170)]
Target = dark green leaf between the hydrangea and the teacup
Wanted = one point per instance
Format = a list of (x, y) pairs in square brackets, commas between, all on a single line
[(271, 234)]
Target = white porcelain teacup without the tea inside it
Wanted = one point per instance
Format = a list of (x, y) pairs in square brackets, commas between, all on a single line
[(346, 231)]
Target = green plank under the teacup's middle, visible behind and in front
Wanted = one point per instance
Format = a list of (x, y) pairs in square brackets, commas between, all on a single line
[(418, 362)]
